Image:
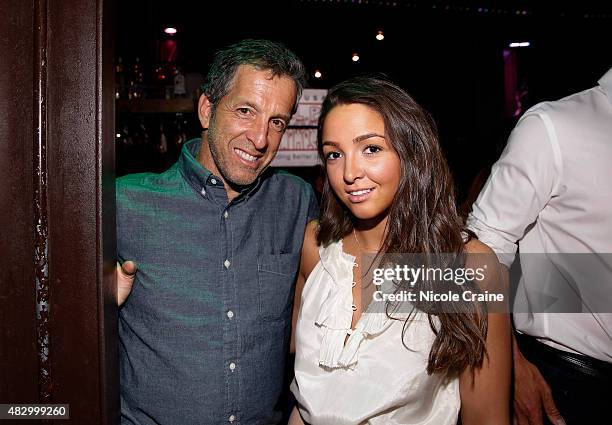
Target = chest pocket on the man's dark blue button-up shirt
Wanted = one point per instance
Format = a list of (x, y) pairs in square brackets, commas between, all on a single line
[(276, 274)]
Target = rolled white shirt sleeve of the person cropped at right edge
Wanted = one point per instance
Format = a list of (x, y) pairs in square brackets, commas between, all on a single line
[(521, 183)]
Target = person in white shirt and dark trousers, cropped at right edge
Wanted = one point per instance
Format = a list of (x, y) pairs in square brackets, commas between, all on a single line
[(550, 193)]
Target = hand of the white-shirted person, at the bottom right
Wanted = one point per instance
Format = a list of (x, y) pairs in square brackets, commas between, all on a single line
[(531, 394)]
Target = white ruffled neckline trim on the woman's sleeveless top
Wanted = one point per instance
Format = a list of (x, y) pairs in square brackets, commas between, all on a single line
[(336, 314)]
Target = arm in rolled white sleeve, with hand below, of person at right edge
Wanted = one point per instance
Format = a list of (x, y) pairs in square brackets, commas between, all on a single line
[(519, 188)]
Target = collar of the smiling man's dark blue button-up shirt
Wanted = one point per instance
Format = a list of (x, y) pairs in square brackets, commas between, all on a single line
[(199, 177)]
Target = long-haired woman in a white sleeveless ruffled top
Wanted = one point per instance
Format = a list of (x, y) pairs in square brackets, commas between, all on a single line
[(388, 190)]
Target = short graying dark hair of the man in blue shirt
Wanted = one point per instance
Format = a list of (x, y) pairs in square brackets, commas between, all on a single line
[(263, 55)]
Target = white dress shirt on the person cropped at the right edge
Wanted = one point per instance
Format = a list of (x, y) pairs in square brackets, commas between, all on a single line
[(551, 192)]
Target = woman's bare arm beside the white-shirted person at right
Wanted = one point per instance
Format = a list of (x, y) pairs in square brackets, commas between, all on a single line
[(485, 393)]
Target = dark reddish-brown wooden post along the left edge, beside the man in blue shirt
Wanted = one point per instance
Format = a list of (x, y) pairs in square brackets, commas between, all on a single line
[(58, 315)]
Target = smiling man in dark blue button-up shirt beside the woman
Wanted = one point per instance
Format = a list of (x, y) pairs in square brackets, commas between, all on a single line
[(217, 239)]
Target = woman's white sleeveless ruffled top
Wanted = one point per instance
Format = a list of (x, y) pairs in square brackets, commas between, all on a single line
[(373, 378)]
